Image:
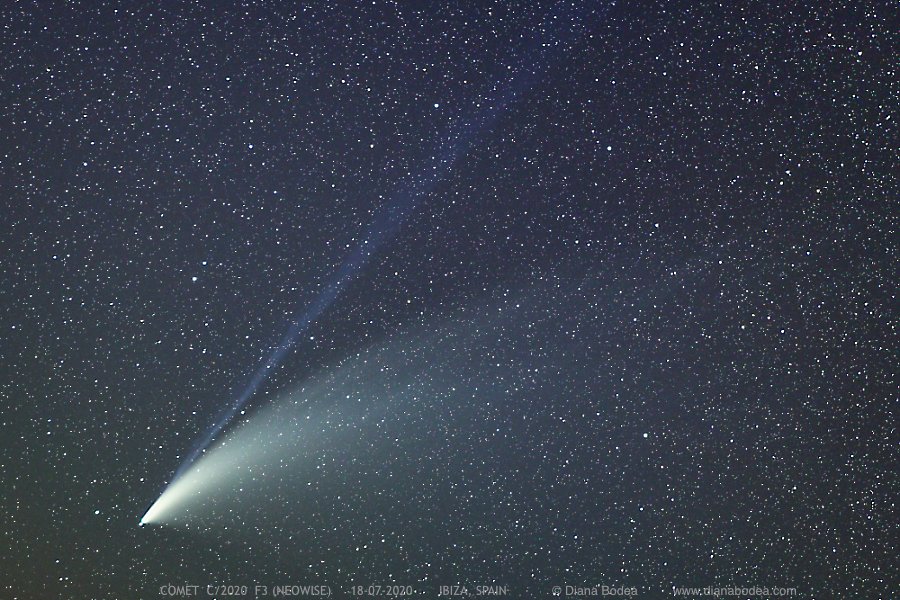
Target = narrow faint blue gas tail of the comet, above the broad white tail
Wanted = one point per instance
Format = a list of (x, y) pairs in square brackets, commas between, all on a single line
[(543, 50)]
